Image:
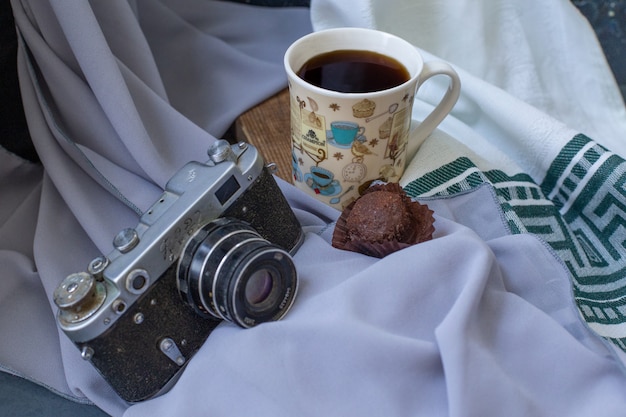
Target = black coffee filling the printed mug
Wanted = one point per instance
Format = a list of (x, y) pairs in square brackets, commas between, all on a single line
[(354, 71)]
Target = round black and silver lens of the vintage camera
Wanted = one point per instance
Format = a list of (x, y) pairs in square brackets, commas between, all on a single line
[(228, 271)]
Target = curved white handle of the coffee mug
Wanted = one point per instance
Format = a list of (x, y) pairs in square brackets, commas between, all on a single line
[(446, 104)]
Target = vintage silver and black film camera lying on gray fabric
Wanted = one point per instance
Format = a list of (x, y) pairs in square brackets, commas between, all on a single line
[(216, 246)]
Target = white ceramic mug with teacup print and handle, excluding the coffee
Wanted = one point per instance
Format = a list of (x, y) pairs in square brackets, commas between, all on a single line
[(341, 142)]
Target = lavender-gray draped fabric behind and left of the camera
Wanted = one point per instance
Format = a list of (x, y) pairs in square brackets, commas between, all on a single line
[(118, 95)]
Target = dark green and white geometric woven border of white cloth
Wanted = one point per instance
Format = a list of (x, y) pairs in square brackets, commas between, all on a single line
[(579, 209)]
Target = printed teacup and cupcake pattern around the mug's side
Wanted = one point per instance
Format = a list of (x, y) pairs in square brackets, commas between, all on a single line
[(329, 138)]
